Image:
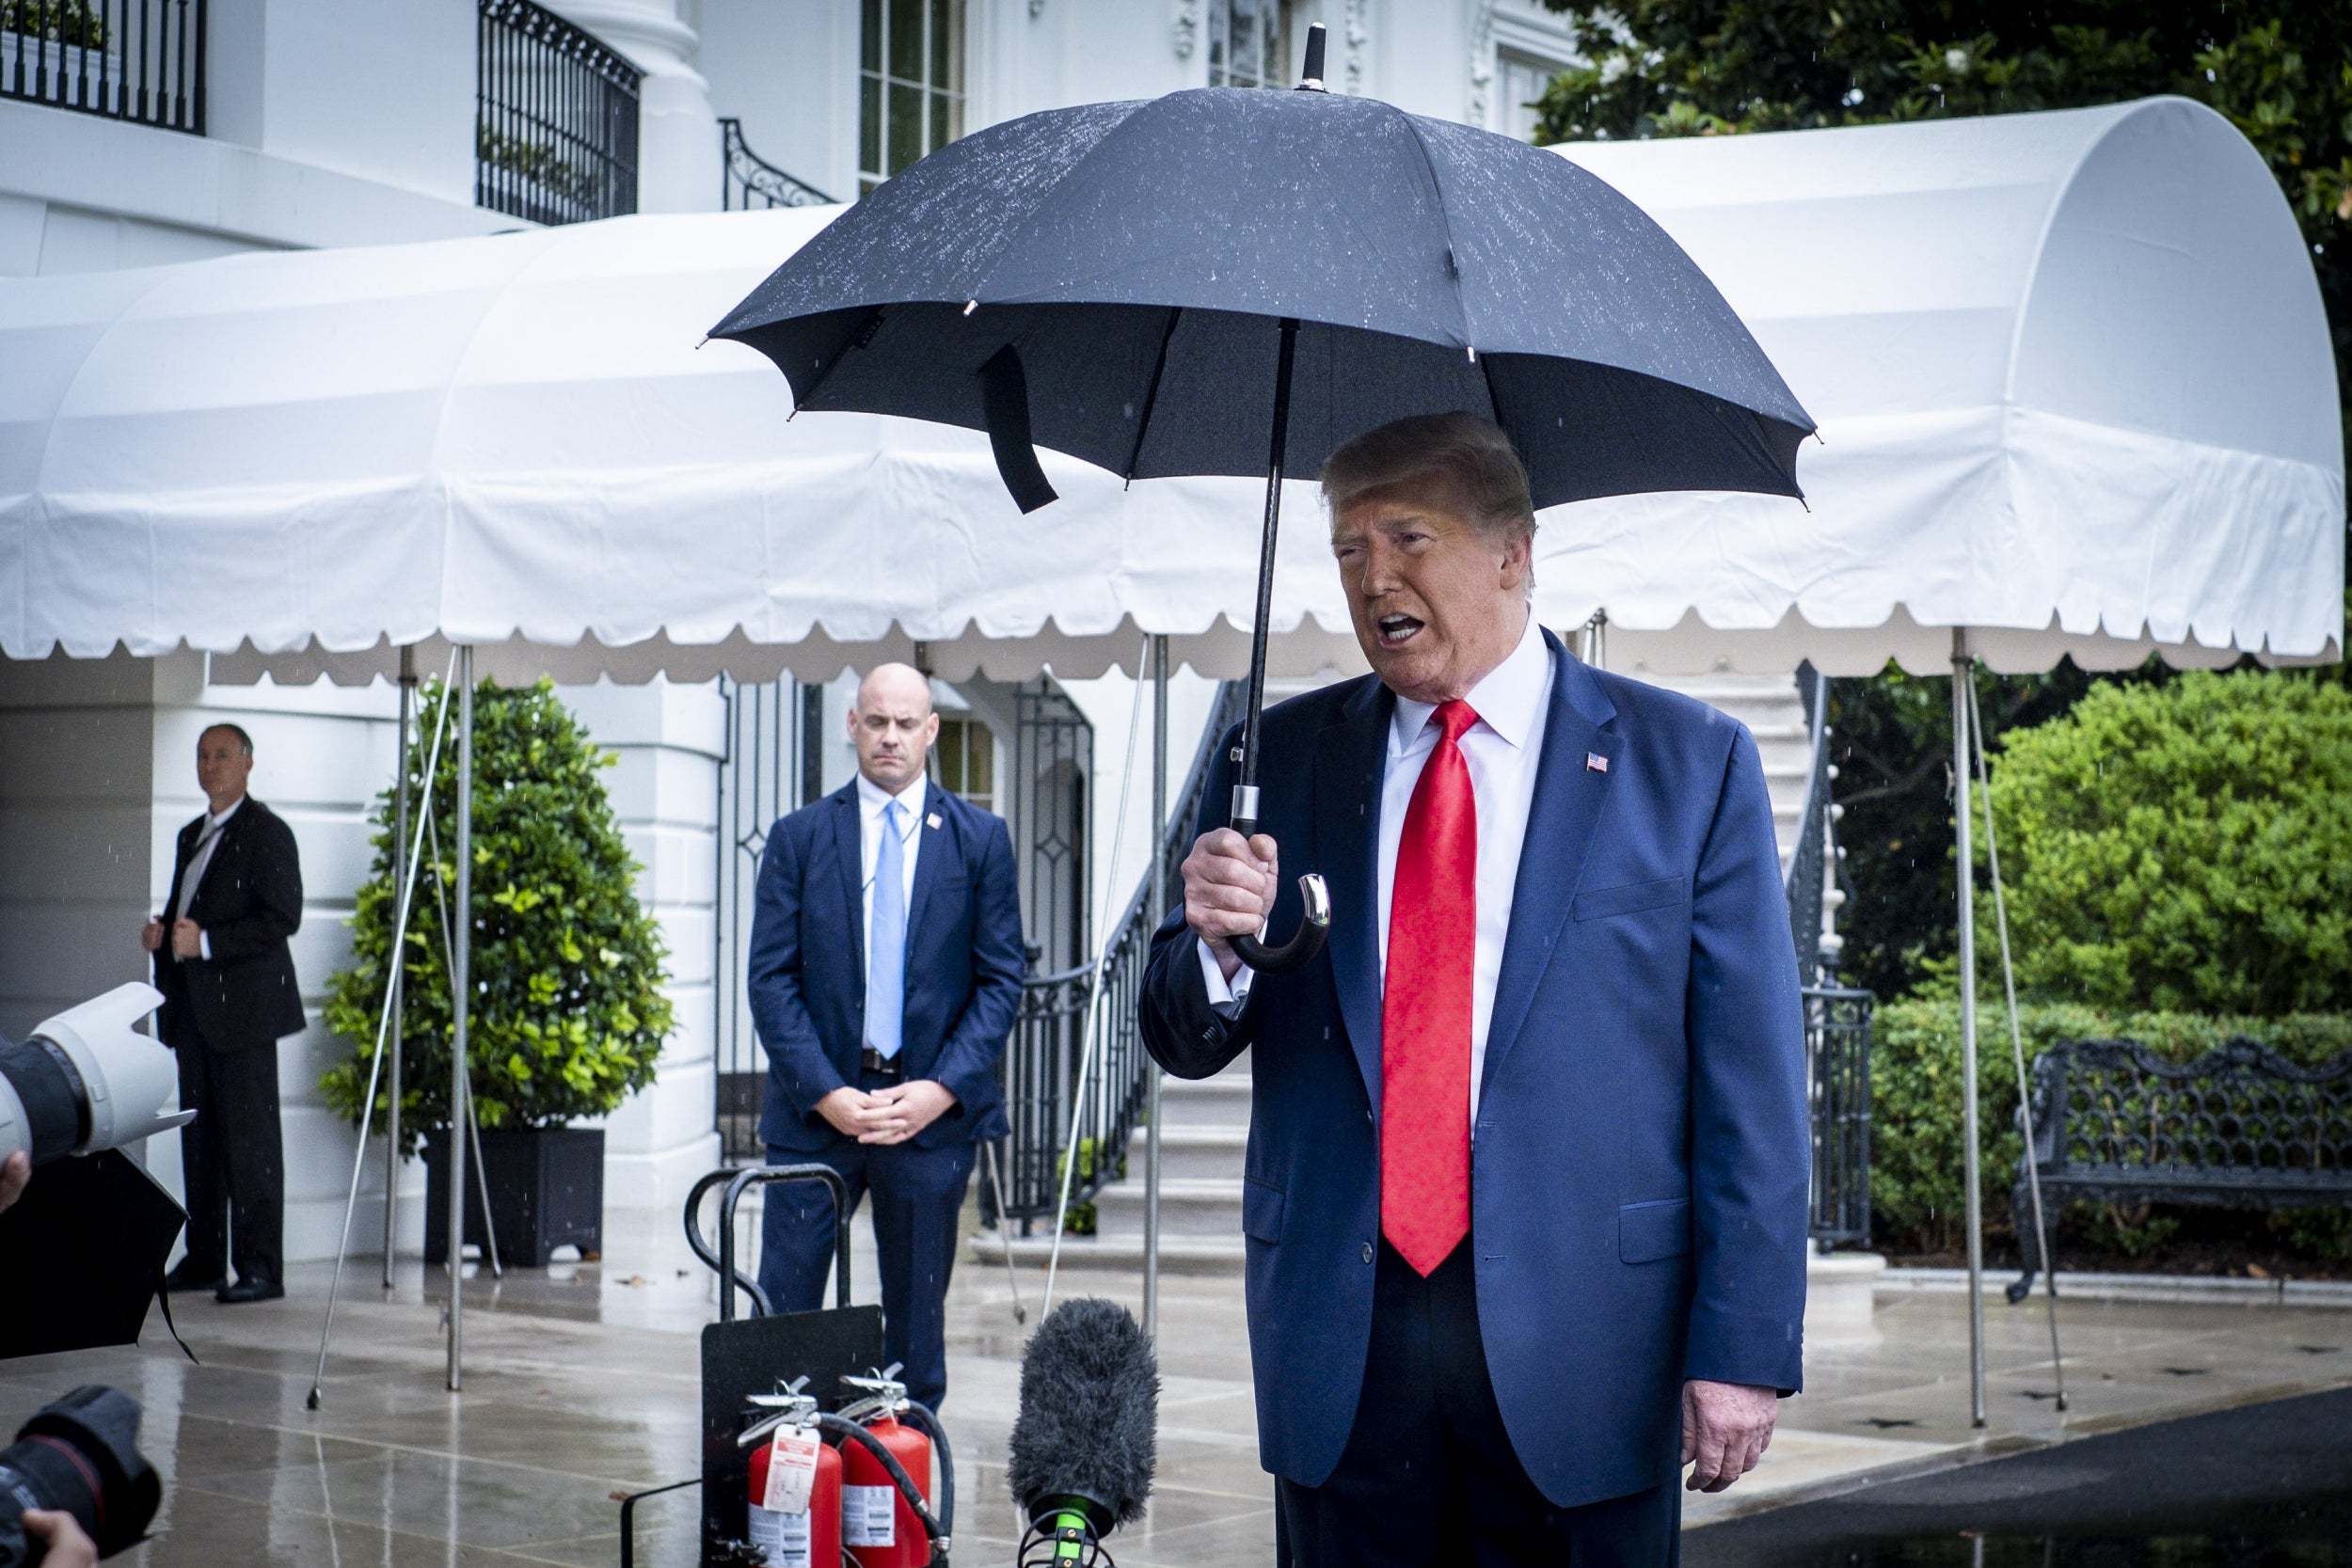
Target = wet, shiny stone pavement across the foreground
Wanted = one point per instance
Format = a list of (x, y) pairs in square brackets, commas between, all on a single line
[(584, 1383)]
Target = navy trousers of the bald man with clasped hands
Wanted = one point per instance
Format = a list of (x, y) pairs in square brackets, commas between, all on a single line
[(918, 1198)]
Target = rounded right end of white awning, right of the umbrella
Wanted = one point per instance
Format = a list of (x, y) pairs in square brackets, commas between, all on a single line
[(2073, 382)]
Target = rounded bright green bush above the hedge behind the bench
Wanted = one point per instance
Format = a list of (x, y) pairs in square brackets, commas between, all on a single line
[(2184, 847)]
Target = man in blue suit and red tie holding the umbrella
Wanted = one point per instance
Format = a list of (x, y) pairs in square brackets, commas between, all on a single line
[(1528, 1167)]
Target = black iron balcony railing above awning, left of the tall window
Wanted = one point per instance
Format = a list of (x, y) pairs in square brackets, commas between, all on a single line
[(556, 121)]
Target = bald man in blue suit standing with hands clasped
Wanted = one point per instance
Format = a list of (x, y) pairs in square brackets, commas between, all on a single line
[(886, 972)]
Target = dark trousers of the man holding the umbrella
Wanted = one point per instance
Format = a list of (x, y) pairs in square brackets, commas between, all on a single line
[(1429, 1475)]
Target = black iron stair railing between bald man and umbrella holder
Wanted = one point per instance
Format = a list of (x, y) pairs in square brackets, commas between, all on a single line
[(1043, 1057)]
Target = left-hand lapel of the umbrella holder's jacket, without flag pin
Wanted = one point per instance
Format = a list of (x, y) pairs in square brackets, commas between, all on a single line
[(1347, 850)]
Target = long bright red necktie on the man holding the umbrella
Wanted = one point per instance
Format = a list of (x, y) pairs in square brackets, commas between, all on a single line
[(1426, 1010)]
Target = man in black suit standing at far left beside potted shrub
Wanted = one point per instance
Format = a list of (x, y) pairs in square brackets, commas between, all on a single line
[(229, 996)]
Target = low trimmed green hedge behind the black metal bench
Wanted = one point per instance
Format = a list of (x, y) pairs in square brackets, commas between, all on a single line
[(1916, 1137)]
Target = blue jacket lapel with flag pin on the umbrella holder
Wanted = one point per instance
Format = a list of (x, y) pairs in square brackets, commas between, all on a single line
[(1561, 824)]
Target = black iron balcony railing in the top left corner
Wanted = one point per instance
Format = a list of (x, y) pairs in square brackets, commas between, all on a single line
[(126, 60)]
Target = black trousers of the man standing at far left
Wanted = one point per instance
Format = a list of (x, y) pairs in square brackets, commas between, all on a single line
[(234, 1160)]
